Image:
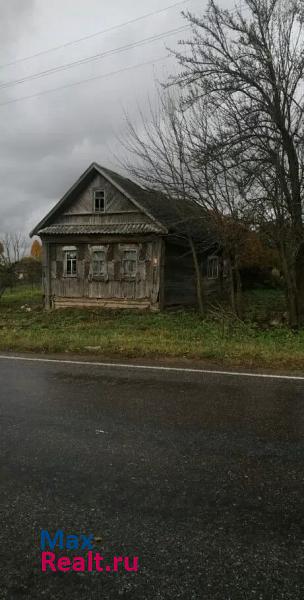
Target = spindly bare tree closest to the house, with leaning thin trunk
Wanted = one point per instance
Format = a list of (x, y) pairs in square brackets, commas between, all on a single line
[(161, 163)]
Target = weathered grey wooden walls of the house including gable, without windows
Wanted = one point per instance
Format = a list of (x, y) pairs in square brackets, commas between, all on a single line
[(165, 273)]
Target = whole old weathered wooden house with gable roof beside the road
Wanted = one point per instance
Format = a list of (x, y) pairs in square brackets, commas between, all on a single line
[(109, 242)]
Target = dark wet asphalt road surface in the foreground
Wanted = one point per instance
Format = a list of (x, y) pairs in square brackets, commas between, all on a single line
[(199, 475)]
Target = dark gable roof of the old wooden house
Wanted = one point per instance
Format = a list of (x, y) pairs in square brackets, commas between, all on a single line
[(167, 214)]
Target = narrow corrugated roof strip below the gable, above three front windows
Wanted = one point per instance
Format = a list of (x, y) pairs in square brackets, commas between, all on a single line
[(107, 229)]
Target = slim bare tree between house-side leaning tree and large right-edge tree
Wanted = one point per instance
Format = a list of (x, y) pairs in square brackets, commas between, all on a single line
[(222, 187)]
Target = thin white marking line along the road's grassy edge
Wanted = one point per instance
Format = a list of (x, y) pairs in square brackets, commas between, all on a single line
[(153, 368)]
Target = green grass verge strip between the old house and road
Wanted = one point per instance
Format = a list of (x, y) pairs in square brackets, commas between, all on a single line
[(179, 334)]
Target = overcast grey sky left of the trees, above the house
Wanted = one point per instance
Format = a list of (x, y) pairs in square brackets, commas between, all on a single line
[(47, 141)]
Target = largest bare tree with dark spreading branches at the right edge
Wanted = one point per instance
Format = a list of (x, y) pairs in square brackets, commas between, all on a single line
[(249, 65)]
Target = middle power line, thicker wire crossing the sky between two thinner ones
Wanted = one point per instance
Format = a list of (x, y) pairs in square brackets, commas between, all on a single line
[(93, 58)]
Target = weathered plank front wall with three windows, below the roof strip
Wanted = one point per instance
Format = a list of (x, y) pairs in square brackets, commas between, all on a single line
[(113, 290)]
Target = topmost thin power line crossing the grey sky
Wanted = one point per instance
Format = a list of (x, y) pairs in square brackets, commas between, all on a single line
[(92, 35)]
